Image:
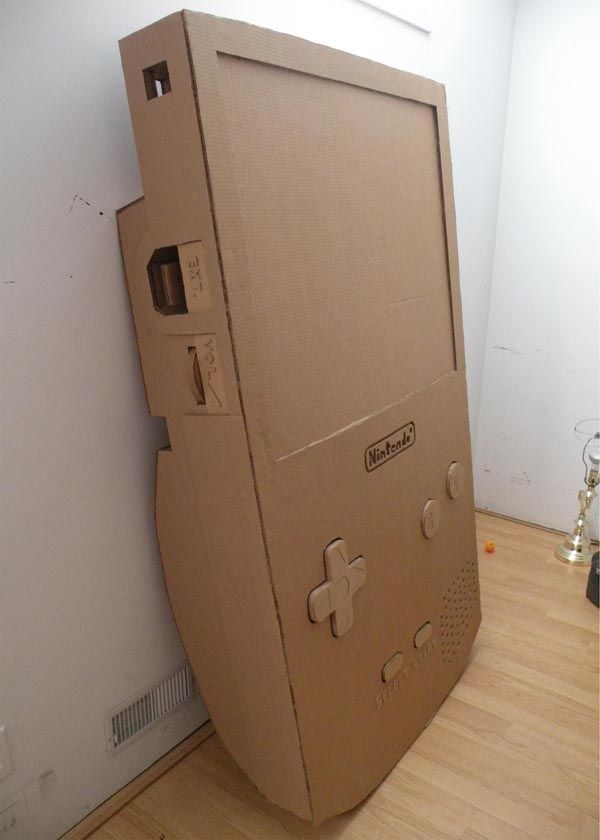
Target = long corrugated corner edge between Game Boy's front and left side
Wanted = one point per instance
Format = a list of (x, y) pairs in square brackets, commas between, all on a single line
[(243, 412)]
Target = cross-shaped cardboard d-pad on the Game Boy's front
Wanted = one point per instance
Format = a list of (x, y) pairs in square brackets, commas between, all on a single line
[(334, 597)]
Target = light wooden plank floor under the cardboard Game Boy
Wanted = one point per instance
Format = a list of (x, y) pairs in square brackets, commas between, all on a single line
[(511, 755)]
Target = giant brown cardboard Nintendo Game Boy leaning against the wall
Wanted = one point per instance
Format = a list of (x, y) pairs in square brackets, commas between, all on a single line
[(293, 275)]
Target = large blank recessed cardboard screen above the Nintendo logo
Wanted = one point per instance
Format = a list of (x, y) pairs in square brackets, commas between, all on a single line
[(337, 305)]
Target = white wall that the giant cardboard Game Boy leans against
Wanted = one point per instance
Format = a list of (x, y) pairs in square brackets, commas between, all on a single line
[(84, 621)]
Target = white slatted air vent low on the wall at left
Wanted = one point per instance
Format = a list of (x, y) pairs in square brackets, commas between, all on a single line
[(135, 717)]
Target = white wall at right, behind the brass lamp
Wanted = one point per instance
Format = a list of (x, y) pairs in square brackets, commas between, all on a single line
[(541, 369)]
